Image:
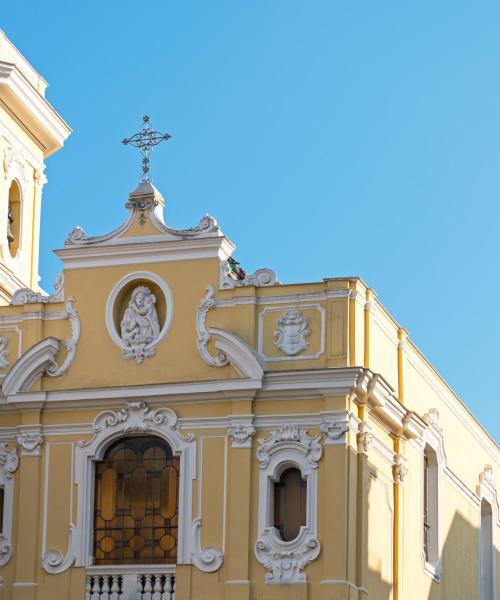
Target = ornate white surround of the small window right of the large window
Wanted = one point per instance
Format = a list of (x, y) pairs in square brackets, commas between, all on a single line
[(285, 560)]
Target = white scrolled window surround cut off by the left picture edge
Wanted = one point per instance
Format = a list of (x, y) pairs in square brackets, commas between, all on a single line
[(9, 462)]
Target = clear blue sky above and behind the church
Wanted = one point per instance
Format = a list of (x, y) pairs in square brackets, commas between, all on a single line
[(329, 138)]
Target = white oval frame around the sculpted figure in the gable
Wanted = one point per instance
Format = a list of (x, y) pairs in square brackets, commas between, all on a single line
[(169, 301)]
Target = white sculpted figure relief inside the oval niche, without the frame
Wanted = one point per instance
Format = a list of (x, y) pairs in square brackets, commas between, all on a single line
[(140, 327)]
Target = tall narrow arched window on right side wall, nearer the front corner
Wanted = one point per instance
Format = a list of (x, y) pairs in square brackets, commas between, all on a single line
[(431, 506)]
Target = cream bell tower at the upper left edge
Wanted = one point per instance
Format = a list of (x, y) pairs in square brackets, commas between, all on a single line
[(30, 131)]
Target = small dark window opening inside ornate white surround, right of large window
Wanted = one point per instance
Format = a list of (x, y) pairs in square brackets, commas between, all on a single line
[(290, 503)]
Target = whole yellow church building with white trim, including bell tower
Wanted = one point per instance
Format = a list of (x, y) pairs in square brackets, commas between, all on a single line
[(173, 428)]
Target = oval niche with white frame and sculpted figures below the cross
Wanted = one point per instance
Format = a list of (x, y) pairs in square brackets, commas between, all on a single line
[(139, 314)]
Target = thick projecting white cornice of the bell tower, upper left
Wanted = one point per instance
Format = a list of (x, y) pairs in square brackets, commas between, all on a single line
[(32, 108)]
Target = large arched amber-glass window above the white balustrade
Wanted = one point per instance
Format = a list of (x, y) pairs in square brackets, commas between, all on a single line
[(136, 503)]
